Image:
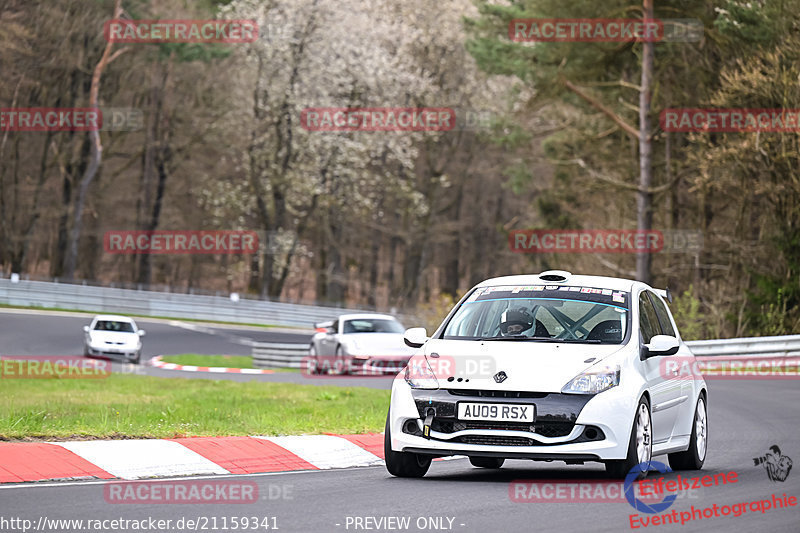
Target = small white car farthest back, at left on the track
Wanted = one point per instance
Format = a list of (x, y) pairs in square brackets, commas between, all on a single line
[(113, 336)]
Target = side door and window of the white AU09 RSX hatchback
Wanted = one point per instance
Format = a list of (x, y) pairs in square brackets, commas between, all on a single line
[(664, 390)]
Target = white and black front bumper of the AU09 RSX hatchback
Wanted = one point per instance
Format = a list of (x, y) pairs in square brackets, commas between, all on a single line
[(566, 426)]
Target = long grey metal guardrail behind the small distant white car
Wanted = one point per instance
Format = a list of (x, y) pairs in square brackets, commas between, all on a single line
[(25, 293)]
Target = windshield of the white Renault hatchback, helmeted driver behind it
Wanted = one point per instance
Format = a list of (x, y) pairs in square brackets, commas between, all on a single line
[(542, 313)]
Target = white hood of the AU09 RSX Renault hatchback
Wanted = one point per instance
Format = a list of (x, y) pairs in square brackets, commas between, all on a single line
[(512, 365)]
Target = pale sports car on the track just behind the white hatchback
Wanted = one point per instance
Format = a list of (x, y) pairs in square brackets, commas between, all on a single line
[(359, 343)]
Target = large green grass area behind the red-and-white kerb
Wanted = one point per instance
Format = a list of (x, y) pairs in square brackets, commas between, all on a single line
[(126, 406)]
